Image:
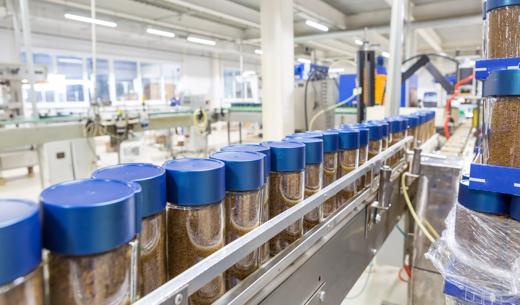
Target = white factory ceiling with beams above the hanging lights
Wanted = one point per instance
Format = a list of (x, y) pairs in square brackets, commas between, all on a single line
[(232, 21)]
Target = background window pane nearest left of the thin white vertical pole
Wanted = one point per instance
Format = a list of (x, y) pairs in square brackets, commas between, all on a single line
[(71, 69)]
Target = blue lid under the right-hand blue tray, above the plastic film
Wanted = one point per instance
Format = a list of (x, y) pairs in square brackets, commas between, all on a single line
[(482, 201)]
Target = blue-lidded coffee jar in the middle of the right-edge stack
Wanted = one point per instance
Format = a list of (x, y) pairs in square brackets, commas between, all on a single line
[(502, 108)]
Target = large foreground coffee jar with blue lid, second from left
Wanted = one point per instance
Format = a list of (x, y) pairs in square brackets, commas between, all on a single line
[(89, 229)]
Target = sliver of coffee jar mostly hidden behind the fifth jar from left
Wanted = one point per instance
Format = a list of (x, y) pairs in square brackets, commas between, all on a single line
[(264, 251)]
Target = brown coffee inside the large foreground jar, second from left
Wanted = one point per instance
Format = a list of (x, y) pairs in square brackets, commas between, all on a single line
[(91, 279)]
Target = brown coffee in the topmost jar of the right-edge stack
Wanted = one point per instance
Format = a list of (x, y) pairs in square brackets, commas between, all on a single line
[(504, 32)]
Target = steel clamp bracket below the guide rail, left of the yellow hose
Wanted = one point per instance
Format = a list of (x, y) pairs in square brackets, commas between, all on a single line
[(377, 208)]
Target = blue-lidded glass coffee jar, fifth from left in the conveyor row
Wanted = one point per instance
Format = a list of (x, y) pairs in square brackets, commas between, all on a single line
[(243, 205)]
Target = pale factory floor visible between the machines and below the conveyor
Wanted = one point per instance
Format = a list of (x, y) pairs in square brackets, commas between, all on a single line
[(378, 285)]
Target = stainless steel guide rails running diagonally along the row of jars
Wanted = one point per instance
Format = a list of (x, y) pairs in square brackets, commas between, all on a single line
[(249, 291)]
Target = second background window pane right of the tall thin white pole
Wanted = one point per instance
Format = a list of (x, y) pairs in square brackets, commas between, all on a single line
[(126, 80)]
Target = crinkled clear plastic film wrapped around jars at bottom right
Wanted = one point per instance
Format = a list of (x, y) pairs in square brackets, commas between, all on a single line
[(479, 256)]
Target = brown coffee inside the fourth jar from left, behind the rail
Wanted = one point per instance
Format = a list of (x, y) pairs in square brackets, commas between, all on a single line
[(194, 233)]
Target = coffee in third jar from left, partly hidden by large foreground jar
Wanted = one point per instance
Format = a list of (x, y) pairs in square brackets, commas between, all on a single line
[(152, 241)]
